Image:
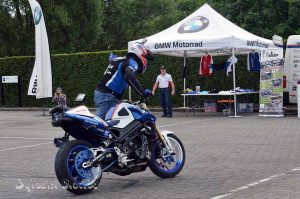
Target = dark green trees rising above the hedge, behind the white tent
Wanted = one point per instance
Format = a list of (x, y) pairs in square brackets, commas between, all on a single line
[(93, 25)]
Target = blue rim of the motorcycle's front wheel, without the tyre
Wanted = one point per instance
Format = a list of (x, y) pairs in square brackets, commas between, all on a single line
[(170, 163)]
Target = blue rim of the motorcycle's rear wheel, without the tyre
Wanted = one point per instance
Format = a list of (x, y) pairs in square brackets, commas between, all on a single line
[(82, 176)]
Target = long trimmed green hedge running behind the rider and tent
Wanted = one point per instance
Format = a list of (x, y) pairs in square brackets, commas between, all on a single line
[(80, 72)]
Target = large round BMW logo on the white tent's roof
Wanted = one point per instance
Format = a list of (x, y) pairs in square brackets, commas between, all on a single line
[(193, 25)]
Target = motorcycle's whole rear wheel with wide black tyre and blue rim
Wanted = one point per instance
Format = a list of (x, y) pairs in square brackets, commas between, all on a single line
[(69, 170)]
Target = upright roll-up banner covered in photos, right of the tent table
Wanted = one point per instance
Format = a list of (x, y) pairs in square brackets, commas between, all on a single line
[(271, 83)]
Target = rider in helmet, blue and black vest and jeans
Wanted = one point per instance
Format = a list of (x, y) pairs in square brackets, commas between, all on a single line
[(120, 73)]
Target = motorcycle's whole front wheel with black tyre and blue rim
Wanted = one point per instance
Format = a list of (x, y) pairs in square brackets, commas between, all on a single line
[(167, 165)]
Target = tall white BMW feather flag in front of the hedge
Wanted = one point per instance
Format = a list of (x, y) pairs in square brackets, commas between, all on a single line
[(41, 79)]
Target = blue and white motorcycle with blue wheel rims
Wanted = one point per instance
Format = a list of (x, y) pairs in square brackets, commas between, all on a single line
[(127, 141)]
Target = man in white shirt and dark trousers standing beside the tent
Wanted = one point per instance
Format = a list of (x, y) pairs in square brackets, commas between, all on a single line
[(163, 81)]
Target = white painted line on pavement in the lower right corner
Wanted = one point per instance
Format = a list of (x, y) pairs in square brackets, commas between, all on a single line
[(255, 183)]
